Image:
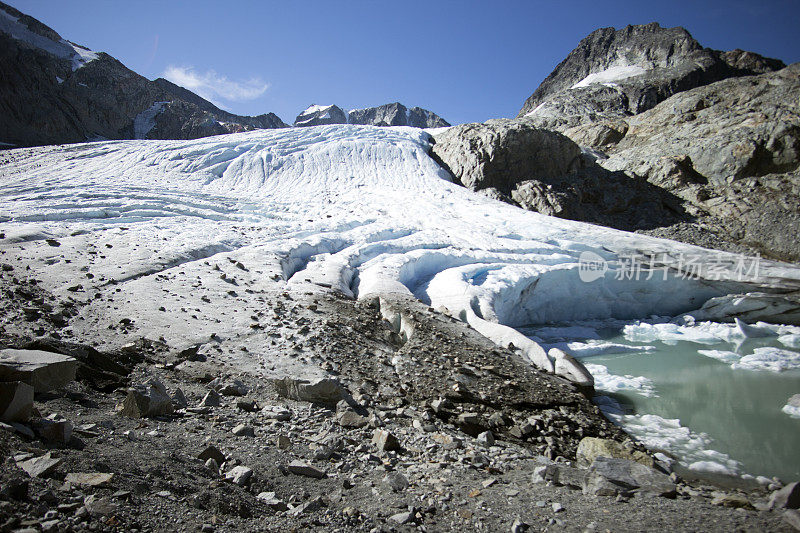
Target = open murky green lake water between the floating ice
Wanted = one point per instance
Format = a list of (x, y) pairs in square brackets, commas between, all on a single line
[(738, 409)]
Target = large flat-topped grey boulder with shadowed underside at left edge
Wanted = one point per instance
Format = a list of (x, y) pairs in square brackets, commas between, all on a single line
[(44, 371)]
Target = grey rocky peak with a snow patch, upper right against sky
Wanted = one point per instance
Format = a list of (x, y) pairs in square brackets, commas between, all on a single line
[(612, 74)]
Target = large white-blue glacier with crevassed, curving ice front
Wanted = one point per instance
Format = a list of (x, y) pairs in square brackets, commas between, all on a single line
[(357, 209)]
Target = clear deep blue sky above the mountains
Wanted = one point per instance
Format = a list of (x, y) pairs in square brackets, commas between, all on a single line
[(465, 60)]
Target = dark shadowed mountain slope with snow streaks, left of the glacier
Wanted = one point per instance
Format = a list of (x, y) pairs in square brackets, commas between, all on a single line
[(53, 91)]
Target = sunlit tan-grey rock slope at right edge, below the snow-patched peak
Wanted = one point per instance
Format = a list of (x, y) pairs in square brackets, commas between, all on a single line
[(731, 152)]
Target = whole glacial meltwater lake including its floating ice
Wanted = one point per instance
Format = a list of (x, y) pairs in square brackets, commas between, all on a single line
[(703, 393)]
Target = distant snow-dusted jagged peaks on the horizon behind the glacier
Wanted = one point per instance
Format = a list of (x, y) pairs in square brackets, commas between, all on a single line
[(395, 114)]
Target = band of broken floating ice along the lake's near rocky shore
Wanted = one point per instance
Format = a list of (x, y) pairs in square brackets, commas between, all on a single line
[(669, 435)]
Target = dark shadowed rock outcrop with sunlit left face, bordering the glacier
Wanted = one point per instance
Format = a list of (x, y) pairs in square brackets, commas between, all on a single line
[(544, 171)]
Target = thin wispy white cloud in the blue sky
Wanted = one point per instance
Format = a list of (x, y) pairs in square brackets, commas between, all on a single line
[(213, 86)]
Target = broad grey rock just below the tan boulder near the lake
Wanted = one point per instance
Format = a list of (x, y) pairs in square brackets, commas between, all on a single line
[(612, 477)]
